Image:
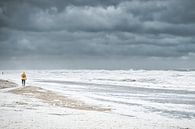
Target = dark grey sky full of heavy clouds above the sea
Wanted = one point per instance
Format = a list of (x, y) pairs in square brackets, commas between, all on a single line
[(97, 34)]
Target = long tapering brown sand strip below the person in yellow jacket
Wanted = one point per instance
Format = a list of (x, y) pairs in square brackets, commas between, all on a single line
[(55, 99)]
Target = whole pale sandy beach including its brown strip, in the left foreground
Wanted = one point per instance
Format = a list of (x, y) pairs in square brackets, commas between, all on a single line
[(32, 107)]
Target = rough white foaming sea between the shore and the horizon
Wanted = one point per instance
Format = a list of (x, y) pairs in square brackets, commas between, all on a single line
[(152, 95)]
